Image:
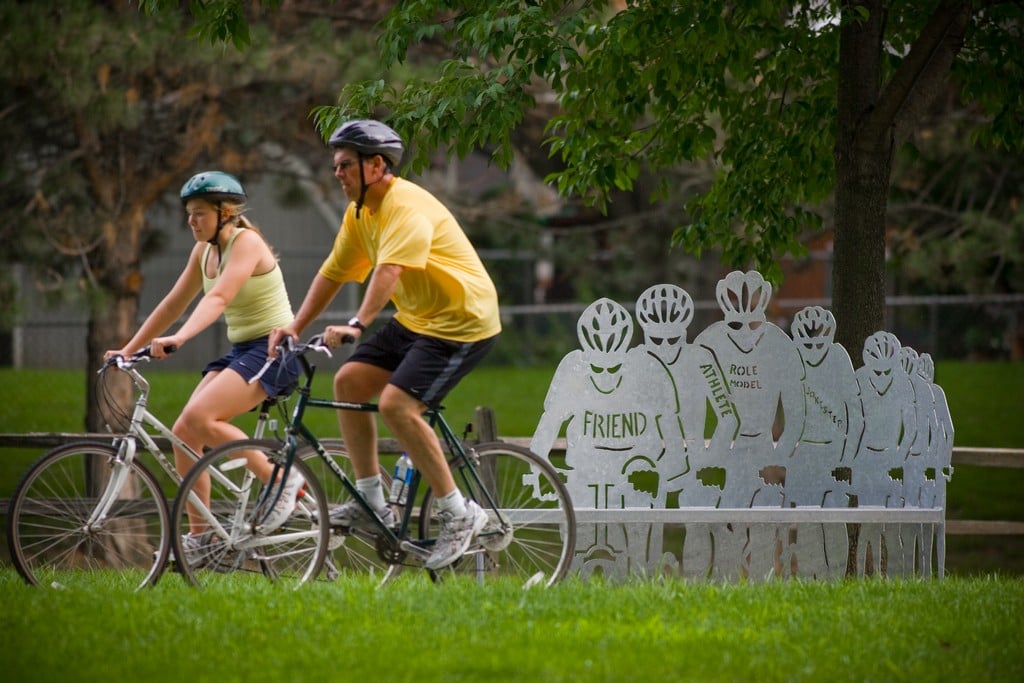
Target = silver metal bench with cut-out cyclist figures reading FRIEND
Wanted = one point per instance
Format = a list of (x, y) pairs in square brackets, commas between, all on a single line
[(747, 453)]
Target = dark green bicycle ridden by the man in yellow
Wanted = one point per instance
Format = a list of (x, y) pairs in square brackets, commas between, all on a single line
[(530, 531)]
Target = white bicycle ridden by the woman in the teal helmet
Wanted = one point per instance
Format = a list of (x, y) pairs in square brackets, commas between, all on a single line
[(94, 506)]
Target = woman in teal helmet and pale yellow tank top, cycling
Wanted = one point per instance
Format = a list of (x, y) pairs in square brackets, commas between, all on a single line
[(238, 273)]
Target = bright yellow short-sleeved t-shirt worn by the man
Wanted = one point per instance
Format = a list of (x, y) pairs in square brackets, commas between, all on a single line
[(444, 291)]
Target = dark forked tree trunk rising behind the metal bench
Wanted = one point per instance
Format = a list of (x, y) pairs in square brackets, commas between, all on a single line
[(873, 123)]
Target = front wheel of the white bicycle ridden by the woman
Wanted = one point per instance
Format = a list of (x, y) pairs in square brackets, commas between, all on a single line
[(59, 534)]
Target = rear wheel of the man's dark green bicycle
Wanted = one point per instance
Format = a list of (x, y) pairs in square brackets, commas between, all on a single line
[(532, 534)]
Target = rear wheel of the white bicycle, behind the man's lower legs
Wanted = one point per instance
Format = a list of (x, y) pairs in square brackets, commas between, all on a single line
[(354, 553)]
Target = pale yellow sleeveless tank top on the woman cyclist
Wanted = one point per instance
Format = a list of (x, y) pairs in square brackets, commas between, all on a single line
[(260, 307)]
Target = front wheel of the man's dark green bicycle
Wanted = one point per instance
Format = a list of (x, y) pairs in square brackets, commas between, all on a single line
[(226, 500)]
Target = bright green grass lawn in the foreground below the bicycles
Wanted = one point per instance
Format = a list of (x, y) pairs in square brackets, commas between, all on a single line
[(413, 630)]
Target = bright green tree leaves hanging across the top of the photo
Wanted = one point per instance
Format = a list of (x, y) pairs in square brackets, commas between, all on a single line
[(748, 89)]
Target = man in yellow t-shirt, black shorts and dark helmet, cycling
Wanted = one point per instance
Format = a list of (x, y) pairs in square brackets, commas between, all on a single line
[(417, 257)]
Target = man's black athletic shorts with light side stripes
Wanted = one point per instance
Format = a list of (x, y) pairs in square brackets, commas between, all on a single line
[(426, 368)]
